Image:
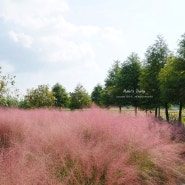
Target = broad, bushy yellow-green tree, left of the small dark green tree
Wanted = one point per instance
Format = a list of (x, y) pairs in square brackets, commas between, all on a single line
[(40, 97)]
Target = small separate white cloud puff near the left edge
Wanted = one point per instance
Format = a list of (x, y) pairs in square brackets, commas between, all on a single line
[(22, 38)]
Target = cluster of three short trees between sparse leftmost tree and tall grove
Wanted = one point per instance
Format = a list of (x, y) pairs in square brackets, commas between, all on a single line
[(57, 97)]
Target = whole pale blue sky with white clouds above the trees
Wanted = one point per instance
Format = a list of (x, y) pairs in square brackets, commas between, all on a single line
[(76, 41)]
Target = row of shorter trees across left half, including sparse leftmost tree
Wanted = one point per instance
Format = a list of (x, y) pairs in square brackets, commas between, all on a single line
[(42, 96)]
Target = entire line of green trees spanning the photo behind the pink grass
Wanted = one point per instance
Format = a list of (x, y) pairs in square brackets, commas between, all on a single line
[(157, 81)]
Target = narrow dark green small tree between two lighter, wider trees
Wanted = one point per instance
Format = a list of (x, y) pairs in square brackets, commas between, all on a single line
[(61, 96)]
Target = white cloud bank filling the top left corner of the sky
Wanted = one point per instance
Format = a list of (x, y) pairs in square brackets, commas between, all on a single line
[(34, 13)]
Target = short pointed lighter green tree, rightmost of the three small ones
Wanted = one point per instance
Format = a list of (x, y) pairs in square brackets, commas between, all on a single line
[(79, 99)]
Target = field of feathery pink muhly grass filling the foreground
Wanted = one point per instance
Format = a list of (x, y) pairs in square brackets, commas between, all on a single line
[(90, 147)]
